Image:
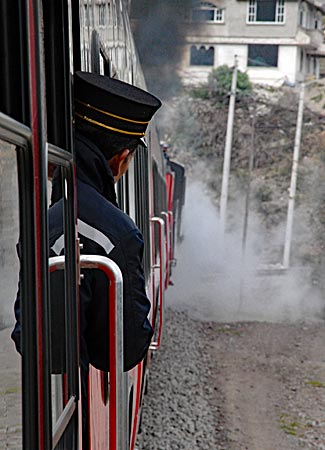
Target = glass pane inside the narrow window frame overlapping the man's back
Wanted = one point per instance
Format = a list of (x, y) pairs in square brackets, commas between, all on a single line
[(61, 332)]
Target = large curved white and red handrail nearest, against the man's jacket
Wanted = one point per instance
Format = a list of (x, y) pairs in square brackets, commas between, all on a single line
[(118, 436)]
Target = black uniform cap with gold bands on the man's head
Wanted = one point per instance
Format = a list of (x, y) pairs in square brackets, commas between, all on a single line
[(113, 105)]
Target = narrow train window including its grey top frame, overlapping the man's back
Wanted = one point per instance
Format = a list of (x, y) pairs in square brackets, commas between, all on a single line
[(62, 287)]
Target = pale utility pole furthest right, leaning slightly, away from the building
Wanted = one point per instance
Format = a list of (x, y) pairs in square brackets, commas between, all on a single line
[(293, 183)]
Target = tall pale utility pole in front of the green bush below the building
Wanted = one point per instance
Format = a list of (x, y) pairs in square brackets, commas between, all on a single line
[(227, 154)]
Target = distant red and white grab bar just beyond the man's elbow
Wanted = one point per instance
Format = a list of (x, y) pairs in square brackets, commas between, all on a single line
[(161, 266)]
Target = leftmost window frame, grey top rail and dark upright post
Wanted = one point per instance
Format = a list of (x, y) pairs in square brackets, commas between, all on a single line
[(20, 136)]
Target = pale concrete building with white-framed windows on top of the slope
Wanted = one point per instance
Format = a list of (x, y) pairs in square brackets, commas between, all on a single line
[(275, 40)]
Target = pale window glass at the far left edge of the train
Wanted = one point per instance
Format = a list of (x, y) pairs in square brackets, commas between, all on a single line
[(10, 380)]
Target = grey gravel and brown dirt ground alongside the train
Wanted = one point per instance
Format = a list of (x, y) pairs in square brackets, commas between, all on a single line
[(236, 386)]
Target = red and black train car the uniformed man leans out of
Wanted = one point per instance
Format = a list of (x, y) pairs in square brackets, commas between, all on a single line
[(43, 43)]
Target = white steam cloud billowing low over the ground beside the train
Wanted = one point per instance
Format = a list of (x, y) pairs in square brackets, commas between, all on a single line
[(212, 283)]
